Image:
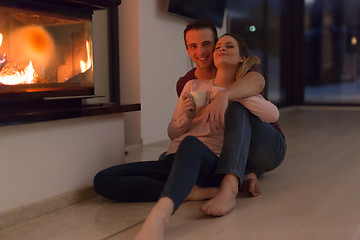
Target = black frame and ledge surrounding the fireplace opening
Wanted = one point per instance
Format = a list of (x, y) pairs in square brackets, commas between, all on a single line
[(20, 112)]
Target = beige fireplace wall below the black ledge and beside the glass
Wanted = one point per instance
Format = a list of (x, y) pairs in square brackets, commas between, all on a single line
[(43, 160)]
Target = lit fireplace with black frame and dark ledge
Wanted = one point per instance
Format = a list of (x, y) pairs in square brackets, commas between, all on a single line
[(46, 59)]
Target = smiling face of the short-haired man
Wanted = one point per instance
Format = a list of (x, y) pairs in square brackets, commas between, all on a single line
[(200, 47)]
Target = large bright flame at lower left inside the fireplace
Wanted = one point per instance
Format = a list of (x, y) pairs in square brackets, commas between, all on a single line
[(26, 76)]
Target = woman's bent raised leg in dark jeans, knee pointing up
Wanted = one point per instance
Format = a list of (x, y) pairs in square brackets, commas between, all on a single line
[(194, 163)]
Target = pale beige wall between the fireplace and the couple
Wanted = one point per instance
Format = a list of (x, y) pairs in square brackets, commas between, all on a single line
[(154, 40)]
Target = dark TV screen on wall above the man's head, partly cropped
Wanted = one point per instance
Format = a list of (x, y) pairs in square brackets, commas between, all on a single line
[(199, 9)]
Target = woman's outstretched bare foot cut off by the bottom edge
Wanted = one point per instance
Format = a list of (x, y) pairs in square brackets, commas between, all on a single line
[(154, 225)]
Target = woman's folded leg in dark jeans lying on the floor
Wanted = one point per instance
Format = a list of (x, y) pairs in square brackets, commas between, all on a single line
[(134, 182)]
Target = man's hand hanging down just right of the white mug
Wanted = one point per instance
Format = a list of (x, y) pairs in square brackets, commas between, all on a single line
[(215, 115)]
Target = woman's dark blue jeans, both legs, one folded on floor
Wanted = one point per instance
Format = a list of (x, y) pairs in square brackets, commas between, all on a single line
[(174, 177)]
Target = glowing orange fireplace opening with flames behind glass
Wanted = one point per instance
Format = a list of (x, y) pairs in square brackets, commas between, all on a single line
[(44, 56)]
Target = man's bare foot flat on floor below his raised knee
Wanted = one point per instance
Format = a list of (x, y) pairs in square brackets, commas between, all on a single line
[(224, 201)]
